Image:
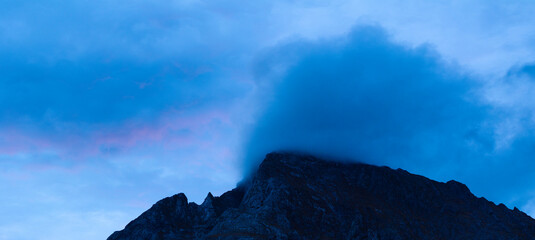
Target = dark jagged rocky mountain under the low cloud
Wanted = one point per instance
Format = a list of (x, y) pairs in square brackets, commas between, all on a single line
[(302, 197)]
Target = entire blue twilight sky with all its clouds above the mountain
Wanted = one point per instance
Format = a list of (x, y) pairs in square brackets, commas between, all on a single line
[(108, 106)]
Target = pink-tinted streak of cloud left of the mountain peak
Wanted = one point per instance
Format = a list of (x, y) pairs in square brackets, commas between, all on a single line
[(173, 130)]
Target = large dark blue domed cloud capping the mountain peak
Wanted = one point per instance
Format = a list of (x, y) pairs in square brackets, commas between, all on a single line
[(367, 98)]
